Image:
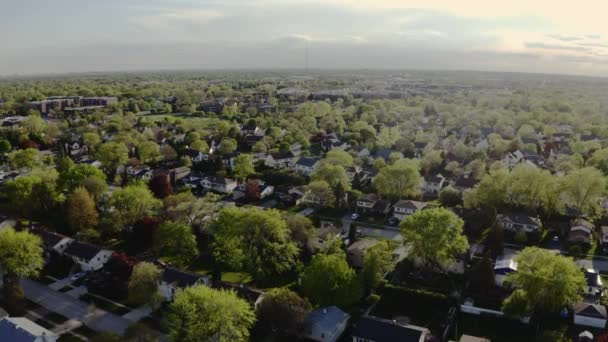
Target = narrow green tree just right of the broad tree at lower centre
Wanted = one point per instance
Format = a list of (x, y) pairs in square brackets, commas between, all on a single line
[(376, 263)]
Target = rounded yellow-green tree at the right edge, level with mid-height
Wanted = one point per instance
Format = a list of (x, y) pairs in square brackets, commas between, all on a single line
[(583, 188)]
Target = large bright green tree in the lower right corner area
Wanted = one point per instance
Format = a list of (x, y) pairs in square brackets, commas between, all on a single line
[(545, 281)]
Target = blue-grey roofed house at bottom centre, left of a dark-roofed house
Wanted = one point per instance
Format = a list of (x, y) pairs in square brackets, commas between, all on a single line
[(325, 324)]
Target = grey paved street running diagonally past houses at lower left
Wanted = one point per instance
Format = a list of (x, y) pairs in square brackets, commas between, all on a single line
[(72, 308)]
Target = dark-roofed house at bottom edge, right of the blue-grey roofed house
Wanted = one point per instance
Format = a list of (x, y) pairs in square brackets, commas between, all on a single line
[(375, 329)]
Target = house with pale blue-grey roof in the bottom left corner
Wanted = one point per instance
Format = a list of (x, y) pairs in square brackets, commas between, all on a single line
[(21, 329)]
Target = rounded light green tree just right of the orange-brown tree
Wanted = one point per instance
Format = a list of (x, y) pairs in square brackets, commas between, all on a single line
[(132, 203)]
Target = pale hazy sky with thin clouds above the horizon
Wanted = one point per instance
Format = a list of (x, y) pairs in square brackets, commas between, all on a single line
[(55, 36)]
